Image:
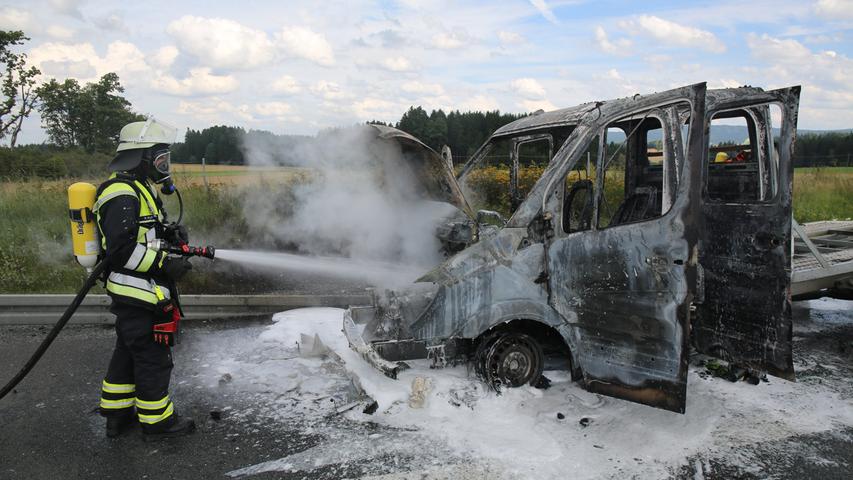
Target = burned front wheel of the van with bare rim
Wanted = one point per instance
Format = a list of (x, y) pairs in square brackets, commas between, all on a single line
[(510, 359)]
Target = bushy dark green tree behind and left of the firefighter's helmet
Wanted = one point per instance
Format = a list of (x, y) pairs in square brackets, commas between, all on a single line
[(89, 116)]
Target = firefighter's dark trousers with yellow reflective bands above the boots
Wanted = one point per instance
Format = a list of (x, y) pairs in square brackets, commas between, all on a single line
[(139, 371)]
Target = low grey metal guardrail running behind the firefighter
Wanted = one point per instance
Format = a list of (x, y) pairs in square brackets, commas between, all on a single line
[(46, 309)]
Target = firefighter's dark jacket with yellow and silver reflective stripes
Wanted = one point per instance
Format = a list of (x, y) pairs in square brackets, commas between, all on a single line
[(129, 216)]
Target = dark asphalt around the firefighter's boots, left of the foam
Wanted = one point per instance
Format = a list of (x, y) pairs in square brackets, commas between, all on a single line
[(50, 428)]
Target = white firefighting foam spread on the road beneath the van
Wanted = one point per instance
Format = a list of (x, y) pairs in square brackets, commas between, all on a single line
[(464, 430)]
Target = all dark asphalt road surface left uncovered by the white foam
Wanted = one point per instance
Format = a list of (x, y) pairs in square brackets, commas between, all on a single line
[(49, 427)]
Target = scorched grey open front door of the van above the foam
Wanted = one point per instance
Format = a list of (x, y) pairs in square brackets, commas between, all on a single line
[(623, 364)]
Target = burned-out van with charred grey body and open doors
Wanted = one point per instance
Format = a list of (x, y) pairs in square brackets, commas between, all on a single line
[(625, 235)]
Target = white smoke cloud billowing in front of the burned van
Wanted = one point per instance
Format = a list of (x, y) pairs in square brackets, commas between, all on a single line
[(361, 201)]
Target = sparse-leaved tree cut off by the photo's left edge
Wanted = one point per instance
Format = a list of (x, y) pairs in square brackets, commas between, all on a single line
[(19, 95)]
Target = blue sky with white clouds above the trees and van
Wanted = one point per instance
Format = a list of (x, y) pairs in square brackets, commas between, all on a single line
[(297, 67)]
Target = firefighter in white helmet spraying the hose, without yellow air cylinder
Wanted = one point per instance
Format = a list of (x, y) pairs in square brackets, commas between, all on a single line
[(141, 282)]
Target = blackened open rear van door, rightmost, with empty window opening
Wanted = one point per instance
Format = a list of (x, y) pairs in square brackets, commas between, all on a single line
[(744, 312)]
